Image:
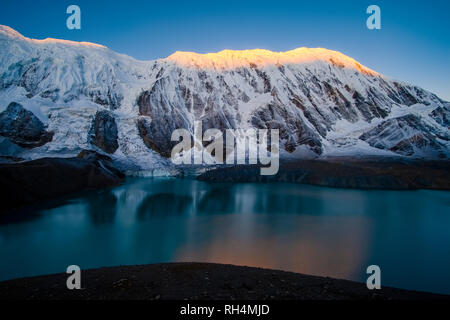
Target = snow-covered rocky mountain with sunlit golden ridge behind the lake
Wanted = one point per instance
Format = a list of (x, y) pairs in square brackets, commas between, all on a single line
[(323, 102)]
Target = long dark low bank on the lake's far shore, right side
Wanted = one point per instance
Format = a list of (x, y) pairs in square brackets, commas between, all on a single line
[(372, 173)]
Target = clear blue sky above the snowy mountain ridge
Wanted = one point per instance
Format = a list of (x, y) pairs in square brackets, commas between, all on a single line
[(413, 44)]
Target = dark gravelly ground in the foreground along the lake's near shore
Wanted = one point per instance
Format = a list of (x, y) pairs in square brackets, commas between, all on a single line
[(198, 281)]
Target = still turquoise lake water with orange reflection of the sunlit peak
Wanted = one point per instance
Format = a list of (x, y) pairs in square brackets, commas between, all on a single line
[(312, 230)]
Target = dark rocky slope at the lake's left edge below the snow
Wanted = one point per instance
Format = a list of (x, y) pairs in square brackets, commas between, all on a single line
[(28, 182)]
